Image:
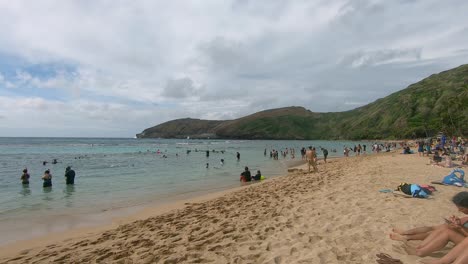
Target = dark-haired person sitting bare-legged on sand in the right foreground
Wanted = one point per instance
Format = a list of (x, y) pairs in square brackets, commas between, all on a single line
[(436, 237)]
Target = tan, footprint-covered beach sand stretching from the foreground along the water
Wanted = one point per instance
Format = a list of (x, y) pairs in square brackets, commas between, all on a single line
[(335, 216)]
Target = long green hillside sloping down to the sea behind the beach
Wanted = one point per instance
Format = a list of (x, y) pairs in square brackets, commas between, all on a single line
[(437, 103)]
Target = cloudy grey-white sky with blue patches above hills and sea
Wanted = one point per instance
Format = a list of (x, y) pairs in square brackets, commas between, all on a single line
[(112, 68)]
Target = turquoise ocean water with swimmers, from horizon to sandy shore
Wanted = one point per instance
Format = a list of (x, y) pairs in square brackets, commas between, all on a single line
[(115, 174)]
